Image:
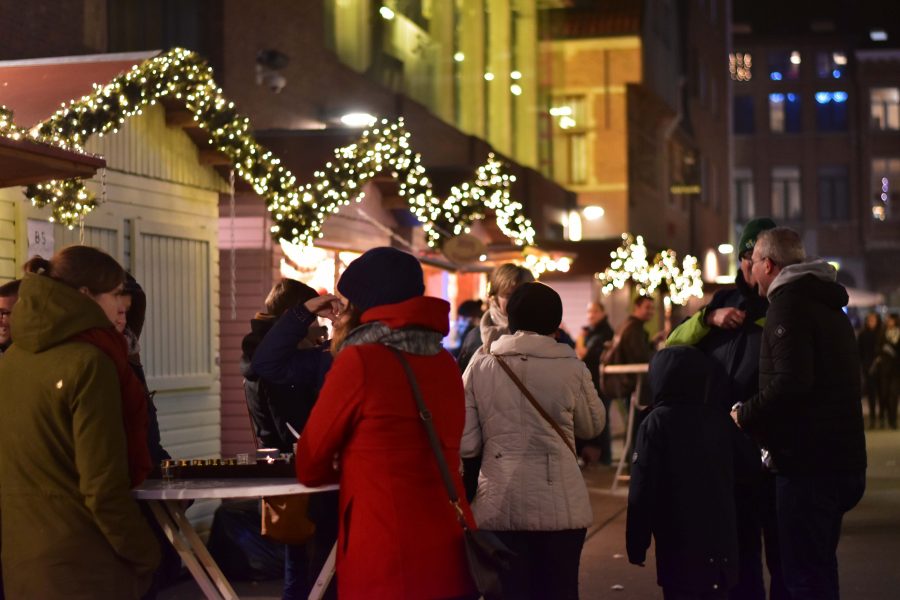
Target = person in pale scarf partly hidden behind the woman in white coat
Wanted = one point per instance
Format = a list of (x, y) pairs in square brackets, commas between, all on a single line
[(503, 282)]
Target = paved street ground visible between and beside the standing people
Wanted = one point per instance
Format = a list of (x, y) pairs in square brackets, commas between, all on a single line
[(868, 549)]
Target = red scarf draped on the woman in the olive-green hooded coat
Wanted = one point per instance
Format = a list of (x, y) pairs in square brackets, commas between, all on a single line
[(134, 399)]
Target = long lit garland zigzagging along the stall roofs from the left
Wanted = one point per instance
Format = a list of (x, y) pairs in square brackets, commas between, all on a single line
[(298, 210)]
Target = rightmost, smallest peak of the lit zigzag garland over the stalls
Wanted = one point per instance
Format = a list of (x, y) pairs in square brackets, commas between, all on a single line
[(490, 190)]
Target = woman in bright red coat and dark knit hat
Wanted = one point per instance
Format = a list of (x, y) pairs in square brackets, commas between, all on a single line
[(399, 536)]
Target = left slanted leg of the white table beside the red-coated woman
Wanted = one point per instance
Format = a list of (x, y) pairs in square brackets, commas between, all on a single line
[(193, 552)]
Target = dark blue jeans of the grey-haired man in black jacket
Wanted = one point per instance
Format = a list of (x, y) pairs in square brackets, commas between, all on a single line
[(810, 509)]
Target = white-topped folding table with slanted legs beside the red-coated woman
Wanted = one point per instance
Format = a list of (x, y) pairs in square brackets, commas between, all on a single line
[(165, 500)]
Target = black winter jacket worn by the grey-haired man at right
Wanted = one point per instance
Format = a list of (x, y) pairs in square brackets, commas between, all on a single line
[(808, 411)]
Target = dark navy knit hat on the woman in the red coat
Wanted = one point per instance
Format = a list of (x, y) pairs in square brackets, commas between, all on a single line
[(382, 276)]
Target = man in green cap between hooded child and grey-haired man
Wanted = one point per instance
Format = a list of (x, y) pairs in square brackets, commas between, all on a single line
[(729, 330)]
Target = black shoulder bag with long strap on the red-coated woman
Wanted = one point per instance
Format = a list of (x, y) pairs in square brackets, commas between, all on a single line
[(487, 556)]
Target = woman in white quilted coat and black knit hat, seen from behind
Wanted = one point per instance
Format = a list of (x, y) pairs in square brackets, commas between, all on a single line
[(530, 489)]
